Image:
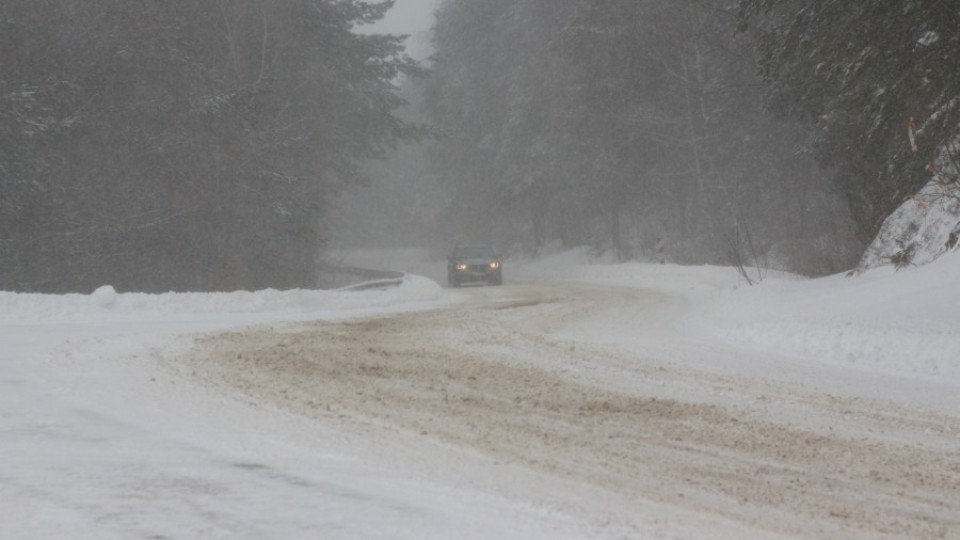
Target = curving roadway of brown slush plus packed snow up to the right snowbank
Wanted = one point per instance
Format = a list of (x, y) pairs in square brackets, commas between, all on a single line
[(518, 390)]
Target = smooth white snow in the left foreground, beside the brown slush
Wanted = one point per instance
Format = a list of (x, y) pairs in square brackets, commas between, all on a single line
[(99, 440)]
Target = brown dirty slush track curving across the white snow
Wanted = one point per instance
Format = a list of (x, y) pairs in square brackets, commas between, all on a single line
[(489, 377)]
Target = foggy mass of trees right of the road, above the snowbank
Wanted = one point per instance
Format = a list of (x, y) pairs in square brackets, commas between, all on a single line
[(624, 123)]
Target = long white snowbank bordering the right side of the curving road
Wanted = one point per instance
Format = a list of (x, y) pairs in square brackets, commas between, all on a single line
[(905, 322)]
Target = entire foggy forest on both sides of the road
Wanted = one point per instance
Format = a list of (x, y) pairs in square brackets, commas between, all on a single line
[(178, 145)]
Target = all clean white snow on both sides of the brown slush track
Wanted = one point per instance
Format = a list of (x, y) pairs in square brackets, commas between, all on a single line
[(98, 442)]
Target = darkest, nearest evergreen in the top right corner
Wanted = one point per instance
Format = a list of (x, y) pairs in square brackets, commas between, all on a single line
[(864, 73)]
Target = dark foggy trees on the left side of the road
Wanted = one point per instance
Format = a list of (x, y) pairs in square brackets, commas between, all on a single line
[(182, 145)]
